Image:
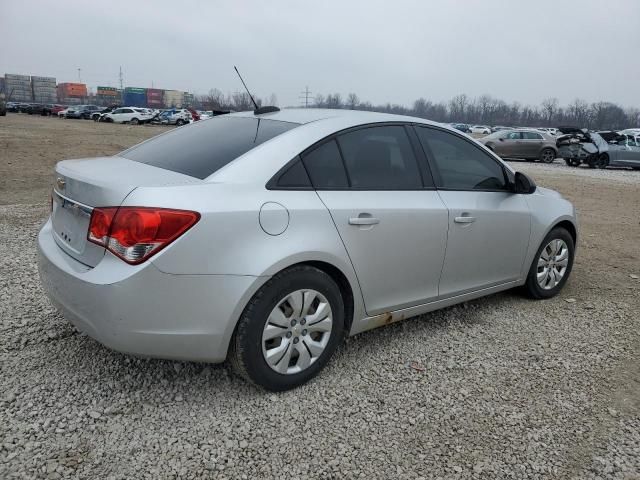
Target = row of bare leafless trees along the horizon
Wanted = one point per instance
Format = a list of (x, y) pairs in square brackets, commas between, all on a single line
[(485, 110)]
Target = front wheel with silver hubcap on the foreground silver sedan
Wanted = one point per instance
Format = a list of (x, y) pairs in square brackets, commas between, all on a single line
[(551, 265)]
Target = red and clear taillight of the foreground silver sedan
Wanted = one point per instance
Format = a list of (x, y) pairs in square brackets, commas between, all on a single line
[(136, 233)]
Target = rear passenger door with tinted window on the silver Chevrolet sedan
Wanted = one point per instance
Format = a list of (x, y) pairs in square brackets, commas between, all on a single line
[(387, 212)]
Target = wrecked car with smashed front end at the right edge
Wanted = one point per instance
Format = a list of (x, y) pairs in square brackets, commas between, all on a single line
[(598, 149)]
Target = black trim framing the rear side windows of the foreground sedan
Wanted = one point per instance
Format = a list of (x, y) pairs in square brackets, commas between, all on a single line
[(421, 160)]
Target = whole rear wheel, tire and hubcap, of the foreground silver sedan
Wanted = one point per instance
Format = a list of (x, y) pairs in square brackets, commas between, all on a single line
[(289, 330)]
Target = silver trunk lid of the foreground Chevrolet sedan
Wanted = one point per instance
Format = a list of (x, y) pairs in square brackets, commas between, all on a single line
[(81, 185)]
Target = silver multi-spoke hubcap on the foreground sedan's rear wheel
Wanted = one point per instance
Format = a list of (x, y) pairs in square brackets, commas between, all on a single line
[(297, 331)]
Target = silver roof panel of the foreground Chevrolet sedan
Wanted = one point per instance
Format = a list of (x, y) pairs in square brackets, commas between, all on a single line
[(356, 117)]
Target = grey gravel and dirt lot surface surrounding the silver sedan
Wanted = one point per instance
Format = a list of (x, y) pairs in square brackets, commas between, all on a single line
[(501, 387)]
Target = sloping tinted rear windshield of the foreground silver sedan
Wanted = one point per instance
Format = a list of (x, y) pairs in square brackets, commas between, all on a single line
[(206, 146)]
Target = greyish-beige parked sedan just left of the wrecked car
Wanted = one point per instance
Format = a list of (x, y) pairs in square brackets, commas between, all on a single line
[(526, 144)]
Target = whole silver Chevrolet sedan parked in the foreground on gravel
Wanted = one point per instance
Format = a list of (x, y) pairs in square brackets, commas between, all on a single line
[(266, 238)]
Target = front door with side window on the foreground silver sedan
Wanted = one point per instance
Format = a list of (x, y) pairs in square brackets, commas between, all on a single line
[(489, 226)]
